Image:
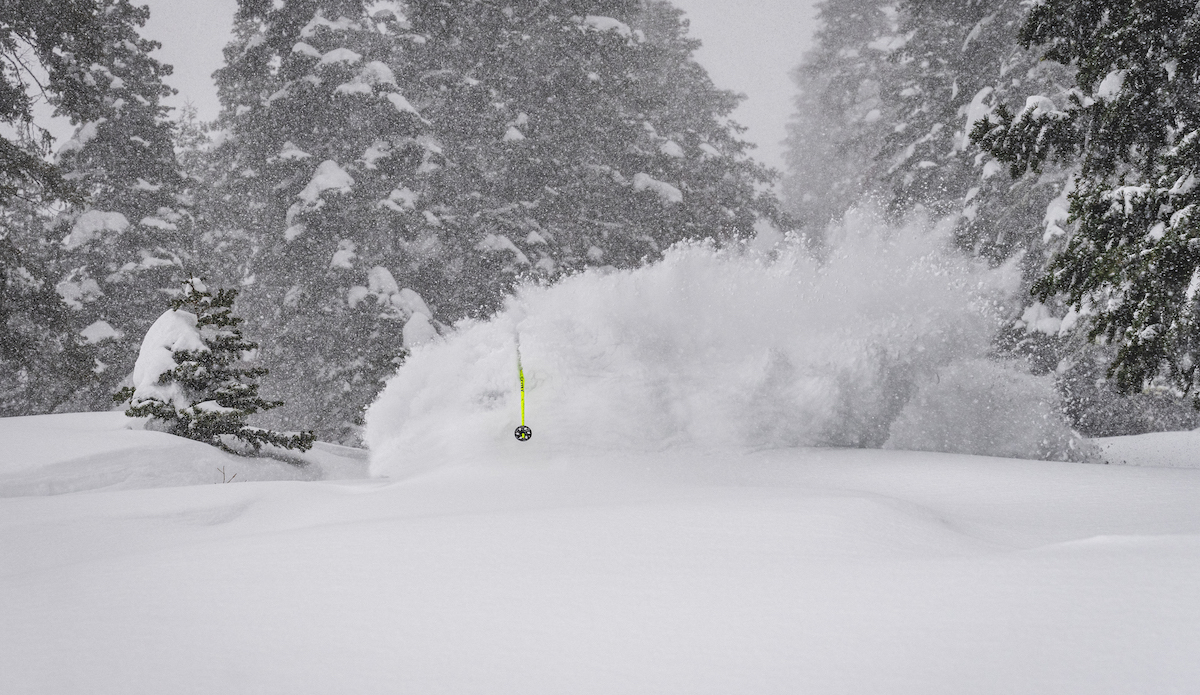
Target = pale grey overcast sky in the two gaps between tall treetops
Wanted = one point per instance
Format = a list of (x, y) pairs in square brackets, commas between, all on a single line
[(749, 47)]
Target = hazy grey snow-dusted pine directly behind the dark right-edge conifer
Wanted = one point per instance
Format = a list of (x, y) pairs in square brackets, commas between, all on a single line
[(959, 61)]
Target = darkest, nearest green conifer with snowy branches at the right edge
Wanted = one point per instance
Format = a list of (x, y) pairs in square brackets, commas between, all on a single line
[(1132, 125)]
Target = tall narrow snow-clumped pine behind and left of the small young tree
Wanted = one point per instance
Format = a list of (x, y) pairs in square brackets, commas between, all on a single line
[(125, 247)]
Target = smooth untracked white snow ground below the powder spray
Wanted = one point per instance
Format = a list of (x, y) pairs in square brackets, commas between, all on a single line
[(791, 571)]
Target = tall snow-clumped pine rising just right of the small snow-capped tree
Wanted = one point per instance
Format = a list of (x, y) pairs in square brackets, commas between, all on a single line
[(316, 182)]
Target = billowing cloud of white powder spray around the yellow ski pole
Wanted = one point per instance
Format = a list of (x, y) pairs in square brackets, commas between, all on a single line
[(883, 344)]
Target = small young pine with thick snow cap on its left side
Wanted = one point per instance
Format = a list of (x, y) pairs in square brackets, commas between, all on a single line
[(208, 392)]
